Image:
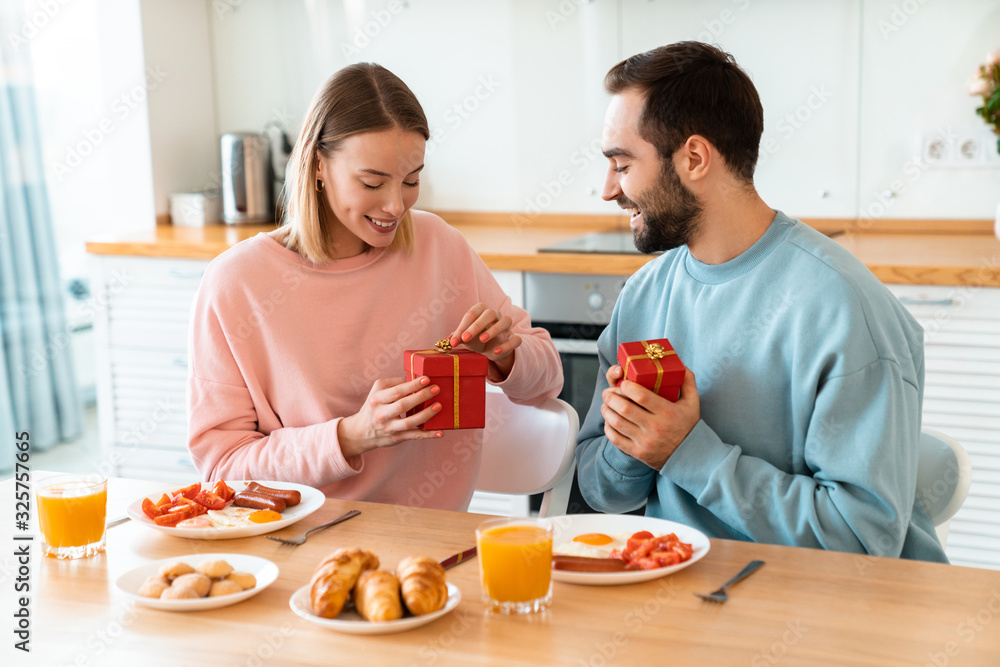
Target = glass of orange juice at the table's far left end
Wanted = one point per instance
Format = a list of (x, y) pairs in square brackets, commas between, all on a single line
[(71, 513)]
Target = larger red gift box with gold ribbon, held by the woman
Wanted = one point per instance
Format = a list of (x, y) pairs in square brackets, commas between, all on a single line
[(461, 375)]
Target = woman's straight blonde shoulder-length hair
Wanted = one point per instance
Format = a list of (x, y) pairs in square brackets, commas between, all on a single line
[(363, 97)]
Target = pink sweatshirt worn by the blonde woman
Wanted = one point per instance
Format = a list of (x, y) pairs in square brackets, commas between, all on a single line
[(281, 349)]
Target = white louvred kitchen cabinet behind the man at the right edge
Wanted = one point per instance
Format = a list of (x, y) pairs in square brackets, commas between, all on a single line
[(962, 399)]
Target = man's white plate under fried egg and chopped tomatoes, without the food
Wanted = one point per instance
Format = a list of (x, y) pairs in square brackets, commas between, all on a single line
[(565, 528)]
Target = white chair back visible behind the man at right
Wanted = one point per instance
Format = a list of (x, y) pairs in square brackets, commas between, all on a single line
[(944, 473)]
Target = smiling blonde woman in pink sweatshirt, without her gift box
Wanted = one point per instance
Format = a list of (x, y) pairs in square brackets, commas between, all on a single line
[(297, 336)]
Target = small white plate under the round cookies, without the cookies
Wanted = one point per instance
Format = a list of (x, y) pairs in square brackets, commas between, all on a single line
[(264, 570)]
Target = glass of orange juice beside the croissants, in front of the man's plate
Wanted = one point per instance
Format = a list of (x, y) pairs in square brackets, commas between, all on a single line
[(515, 564)]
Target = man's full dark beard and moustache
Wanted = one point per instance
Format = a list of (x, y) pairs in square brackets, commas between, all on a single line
[(671, 214)]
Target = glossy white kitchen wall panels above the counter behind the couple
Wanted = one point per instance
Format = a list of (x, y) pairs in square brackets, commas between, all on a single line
[(513, 90)]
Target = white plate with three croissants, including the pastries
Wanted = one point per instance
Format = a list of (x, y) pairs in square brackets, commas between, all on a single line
[(349, 593)]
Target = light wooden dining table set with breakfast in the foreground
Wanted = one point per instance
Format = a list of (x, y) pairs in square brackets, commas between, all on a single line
[(804, 607)]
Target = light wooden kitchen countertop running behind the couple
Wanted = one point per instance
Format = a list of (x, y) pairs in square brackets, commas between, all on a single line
[(898, 252)]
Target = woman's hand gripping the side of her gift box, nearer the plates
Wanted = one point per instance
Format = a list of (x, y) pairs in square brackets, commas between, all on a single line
[(382, 420)]
